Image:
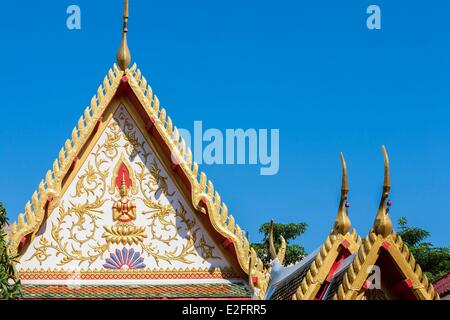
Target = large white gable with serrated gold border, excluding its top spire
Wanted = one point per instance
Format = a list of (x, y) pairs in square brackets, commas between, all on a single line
[(169, 223)]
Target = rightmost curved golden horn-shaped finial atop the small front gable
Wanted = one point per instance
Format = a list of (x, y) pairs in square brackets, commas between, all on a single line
[(383, 224)]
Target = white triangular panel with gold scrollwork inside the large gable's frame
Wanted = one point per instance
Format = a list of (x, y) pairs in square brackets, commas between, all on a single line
[(154, 228)]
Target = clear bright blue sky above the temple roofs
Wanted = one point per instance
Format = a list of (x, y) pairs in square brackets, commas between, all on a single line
[(310, 68)]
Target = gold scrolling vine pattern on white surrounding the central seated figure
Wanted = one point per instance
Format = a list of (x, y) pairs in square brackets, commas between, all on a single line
[(171, 235)]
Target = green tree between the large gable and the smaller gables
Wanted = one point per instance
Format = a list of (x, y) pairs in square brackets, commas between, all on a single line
[(290, 232)]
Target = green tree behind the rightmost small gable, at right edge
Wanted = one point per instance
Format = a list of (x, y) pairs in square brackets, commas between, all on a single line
[(434, 261)]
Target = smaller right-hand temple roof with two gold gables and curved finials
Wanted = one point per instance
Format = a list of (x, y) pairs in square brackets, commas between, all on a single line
[(339, 270)]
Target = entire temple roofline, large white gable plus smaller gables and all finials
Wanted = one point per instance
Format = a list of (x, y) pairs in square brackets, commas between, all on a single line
[(222, 264)]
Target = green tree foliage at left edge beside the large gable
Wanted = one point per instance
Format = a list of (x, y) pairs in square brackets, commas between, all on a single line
[(10, 287)]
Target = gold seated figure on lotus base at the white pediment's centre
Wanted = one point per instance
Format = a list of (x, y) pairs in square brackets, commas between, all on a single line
[(124, 214)]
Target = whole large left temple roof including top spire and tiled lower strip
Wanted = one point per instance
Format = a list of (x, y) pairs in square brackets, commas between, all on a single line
[(221, 249)]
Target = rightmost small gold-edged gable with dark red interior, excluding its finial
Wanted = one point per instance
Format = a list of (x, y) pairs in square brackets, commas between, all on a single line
[(384, 264)]
